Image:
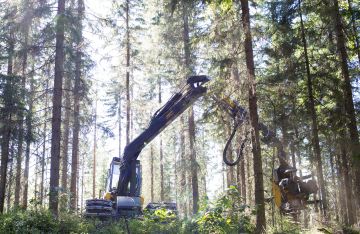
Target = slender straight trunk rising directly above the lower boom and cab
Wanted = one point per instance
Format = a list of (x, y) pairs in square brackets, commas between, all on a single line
[(127, 39)]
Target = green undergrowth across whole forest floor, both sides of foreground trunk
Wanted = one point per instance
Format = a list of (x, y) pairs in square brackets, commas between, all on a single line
[(226, 214)]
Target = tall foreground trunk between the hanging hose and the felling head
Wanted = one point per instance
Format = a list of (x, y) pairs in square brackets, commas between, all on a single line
[(258, 173)]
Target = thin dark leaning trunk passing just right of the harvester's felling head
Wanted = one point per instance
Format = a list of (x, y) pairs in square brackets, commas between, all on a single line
[(314, 123)]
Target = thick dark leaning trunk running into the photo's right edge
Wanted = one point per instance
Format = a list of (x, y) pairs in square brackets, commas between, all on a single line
[(348, 96)]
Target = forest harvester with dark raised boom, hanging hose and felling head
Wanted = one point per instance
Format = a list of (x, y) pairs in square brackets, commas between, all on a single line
[(122, 197)]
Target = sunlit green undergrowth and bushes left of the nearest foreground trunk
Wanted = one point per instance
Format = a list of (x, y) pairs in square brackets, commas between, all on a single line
[(227, 214)]
